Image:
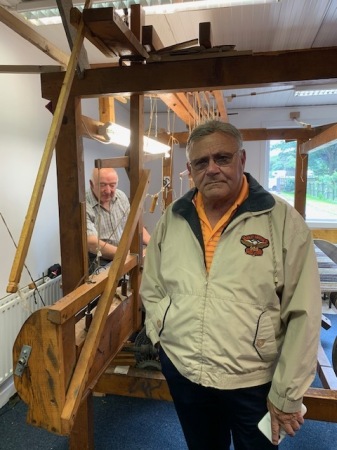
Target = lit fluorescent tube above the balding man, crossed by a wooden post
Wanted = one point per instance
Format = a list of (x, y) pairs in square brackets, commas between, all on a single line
[(112, 132)]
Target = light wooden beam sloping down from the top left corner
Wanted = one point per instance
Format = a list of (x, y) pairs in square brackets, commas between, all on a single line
[(25, 31)]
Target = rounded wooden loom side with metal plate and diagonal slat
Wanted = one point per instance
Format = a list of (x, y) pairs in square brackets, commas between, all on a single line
[(59, 356)]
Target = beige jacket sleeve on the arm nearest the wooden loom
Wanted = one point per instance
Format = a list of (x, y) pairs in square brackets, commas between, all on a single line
[(152, 289)]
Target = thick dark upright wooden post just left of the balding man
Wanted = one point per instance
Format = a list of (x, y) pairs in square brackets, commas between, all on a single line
[(71, 198)]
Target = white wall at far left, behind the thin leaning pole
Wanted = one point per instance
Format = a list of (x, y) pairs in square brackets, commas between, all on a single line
[(24, 125)]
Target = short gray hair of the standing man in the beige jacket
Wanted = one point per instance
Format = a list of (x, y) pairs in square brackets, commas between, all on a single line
[(211, 127)]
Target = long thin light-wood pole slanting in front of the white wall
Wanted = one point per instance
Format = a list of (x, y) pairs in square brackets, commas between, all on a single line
[(34, 204)]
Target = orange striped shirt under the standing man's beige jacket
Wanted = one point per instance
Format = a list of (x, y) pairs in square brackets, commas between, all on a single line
[(212, 235)]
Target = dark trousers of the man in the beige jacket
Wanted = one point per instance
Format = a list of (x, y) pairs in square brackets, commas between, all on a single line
[(211, 418)]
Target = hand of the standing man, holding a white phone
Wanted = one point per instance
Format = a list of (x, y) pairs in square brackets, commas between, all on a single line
[(290, 422)]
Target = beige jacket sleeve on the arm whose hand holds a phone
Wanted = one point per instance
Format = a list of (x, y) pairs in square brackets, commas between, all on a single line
[(301, 309)]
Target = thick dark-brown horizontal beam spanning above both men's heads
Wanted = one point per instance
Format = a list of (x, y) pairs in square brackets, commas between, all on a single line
[(263, 69)]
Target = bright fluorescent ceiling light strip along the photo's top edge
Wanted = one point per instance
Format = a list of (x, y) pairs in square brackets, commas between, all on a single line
[(44, 12)]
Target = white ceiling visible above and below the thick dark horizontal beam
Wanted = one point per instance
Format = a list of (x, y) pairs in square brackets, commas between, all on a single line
[(286, 25)]
